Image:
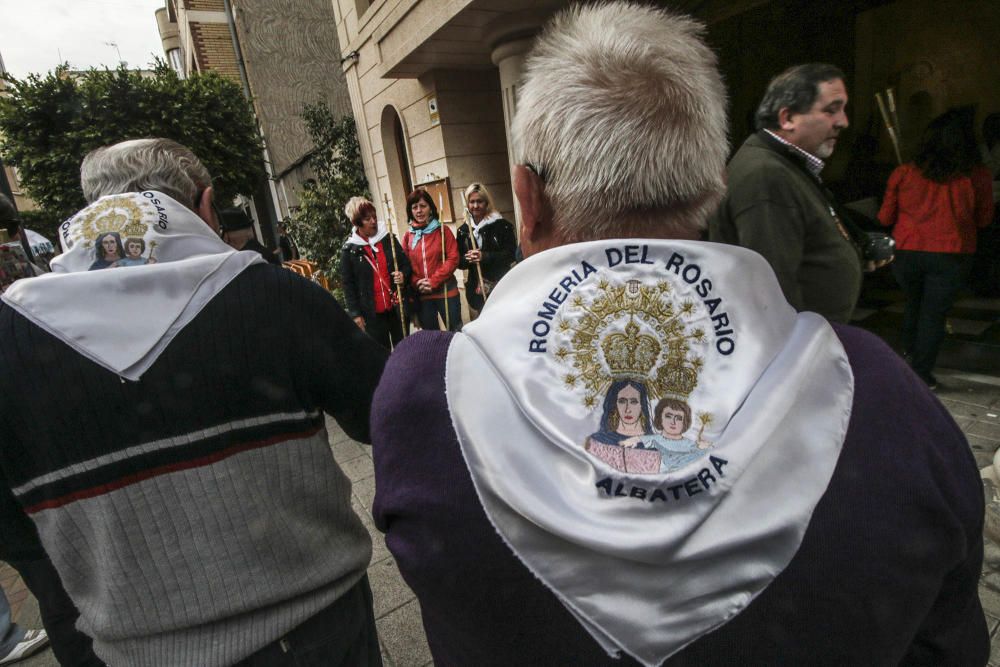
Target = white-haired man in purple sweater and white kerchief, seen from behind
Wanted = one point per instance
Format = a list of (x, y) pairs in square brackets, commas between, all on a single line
[(548, 510)]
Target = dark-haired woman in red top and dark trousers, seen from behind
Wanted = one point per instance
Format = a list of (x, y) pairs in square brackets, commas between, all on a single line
[(936, 204)]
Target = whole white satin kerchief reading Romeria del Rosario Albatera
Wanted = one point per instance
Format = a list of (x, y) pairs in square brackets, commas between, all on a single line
[(655, 543)]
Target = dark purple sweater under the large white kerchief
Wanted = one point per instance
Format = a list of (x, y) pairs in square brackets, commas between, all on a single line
[(886, 574)]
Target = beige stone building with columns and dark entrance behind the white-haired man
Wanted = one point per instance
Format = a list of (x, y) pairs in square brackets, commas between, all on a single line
[(433, 83)]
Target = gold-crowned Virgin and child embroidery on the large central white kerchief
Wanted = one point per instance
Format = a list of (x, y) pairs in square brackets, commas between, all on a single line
[(634, 349)]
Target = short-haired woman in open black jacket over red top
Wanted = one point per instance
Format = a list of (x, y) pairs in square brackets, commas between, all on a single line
[(370, 274)]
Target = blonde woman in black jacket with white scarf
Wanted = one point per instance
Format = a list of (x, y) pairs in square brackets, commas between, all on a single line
[(493, 251)]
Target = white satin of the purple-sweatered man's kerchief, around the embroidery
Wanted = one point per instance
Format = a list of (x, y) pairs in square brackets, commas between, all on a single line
[(650, 577)]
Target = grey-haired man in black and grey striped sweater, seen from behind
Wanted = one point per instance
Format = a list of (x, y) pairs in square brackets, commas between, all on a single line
[(164, 428)]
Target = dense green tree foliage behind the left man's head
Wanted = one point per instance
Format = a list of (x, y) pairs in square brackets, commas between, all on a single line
[(49, 123)]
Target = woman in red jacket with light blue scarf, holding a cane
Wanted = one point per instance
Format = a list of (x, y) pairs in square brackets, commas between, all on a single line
[(433, 254)]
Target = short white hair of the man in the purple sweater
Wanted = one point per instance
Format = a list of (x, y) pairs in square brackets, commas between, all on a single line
[(622, 113)]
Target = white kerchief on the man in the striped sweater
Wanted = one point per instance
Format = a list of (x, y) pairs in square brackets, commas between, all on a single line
[(124, 317)]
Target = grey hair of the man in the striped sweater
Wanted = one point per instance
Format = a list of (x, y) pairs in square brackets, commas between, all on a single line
[(144, 164)]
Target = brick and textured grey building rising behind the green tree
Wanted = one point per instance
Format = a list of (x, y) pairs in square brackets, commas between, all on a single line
[(285, 55)]
